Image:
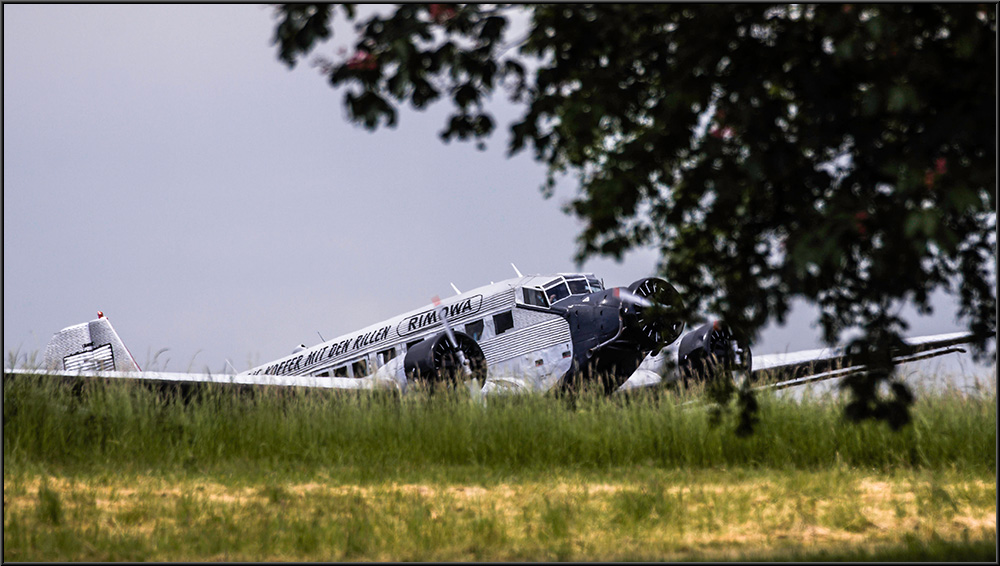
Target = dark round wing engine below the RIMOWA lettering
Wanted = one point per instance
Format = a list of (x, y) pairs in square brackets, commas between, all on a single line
[(437, 359)]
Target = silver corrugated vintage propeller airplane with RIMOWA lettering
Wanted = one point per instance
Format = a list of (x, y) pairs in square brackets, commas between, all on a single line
[(528, 333)]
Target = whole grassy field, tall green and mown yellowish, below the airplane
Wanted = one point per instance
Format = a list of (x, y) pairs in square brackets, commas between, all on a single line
[(119, 471)]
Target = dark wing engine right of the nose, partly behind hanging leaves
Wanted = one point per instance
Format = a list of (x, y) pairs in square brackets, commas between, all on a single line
[(711, 350)]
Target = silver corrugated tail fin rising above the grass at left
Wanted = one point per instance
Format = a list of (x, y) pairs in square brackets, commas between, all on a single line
[(90, 346)]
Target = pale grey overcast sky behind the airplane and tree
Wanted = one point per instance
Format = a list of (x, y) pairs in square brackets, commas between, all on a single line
[(162, 166)]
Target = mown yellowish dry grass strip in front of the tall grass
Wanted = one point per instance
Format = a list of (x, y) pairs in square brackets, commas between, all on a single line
[(664, 516)]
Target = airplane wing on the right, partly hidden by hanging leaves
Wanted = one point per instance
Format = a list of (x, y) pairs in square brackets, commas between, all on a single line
[(806, 366)]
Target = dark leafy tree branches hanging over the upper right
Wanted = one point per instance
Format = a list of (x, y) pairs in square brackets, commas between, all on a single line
[(840, 153)]
